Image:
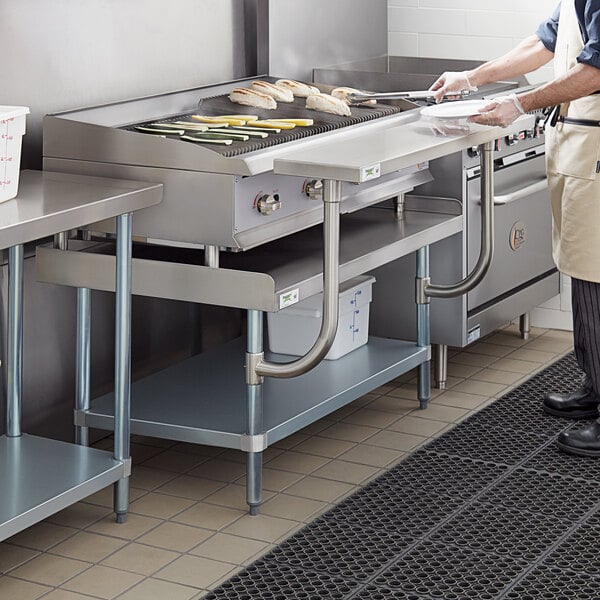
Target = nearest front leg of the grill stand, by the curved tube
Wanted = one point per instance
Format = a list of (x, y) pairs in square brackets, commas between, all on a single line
[(255, 416)]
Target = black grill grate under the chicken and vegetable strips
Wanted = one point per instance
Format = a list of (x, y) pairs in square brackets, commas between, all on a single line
[(323, 122)]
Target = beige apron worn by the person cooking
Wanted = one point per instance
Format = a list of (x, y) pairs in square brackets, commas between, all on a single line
[(572, 159)]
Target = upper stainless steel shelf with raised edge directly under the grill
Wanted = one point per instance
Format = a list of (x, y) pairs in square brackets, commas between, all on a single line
[(256, 279)]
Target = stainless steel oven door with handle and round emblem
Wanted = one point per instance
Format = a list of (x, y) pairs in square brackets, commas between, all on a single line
[(522, 230)]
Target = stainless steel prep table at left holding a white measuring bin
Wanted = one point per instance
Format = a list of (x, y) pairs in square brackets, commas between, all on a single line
[(41, 476)]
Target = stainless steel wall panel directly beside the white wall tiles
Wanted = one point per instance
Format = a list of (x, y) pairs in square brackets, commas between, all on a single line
[(304, 34)]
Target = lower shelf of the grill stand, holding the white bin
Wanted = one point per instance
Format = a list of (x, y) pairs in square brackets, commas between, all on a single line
[(203, 399)]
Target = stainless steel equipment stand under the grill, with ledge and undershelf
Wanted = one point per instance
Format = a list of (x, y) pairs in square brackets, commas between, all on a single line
[(206, 399)]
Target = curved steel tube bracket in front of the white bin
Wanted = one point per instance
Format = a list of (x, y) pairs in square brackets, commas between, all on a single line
[(332, 192)]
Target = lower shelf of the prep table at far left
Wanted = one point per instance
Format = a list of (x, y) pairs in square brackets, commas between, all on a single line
[(34, 488)]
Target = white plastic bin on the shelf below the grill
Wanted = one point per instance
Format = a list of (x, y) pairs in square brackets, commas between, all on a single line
[(295, 329)]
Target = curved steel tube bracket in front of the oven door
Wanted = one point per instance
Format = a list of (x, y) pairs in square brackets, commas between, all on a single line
[(487, 233)]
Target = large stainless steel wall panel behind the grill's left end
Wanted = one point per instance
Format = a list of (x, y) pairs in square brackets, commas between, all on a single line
[(67, 53)]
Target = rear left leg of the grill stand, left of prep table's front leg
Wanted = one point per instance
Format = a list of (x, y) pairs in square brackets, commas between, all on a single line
[(82, 373)]
